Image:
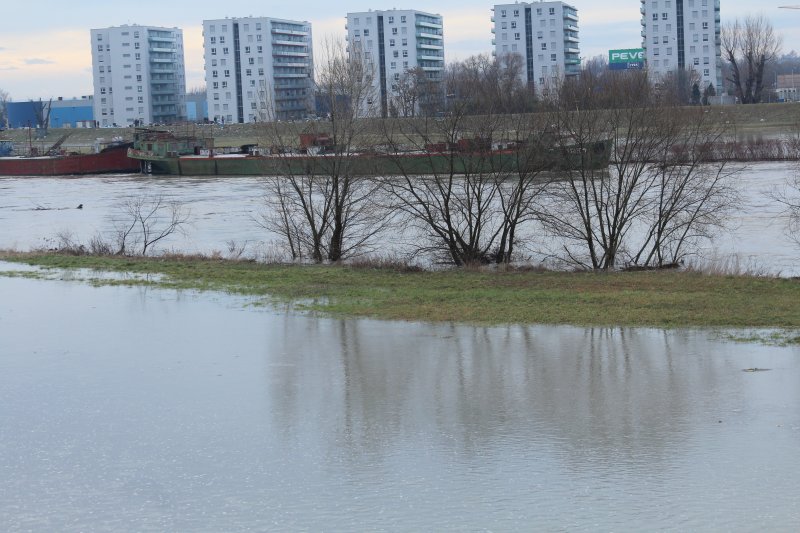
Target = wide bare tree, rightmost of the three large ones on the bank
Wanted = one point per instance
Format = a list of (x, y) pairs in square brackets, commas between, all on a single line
[(652, 200)]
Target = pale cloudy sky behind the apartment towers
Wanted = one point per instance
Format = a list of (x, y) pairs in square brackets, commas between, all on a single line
[(45, 49)]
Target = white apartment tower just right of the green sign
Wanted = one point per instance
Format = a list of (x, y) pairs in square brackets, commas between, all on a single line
[(683, 34)]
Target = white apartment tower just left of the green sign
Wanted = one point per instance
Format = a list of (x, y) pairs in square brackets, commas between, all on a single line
[(544, 34)]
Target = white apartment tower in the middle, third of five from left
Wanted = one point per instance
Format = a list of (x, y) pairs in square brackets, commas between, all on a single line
[(394, 42)]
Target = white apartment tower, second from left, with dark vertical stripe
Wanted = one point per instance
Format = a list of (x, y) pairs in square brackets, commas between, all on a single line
[(258, 69)]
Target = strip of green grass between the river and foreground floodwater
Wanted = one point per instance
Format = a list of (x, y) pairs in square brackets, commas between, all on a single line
[(657, 299)]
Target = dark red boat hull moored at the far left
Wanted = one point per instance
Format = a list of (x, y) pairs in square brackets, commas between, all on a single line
[(114, 159)]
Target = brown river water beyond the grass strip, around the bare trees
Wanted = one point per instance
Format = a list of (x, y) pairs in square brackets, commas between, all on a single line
[(34, 210)]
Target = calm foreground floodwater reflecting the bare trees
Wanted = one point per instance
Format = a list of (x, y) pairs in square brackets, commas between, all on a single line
[(136, 409)]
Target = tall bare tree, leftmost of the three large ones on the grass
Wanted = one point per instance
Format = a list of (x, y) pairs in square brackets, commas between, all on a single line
[(324, 205)]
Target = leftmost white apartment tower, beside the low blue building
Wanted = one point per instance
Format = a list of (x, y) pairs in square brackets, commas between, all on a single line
[(139, 75)]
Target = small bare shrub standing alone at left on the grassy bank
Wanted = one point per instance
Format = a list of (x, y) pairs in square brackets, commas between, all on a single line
[(143, 221)]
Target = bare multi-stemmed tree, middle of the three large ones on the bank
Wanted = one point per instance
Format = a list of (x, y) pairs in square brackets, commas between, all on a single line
[(466, 183)]
